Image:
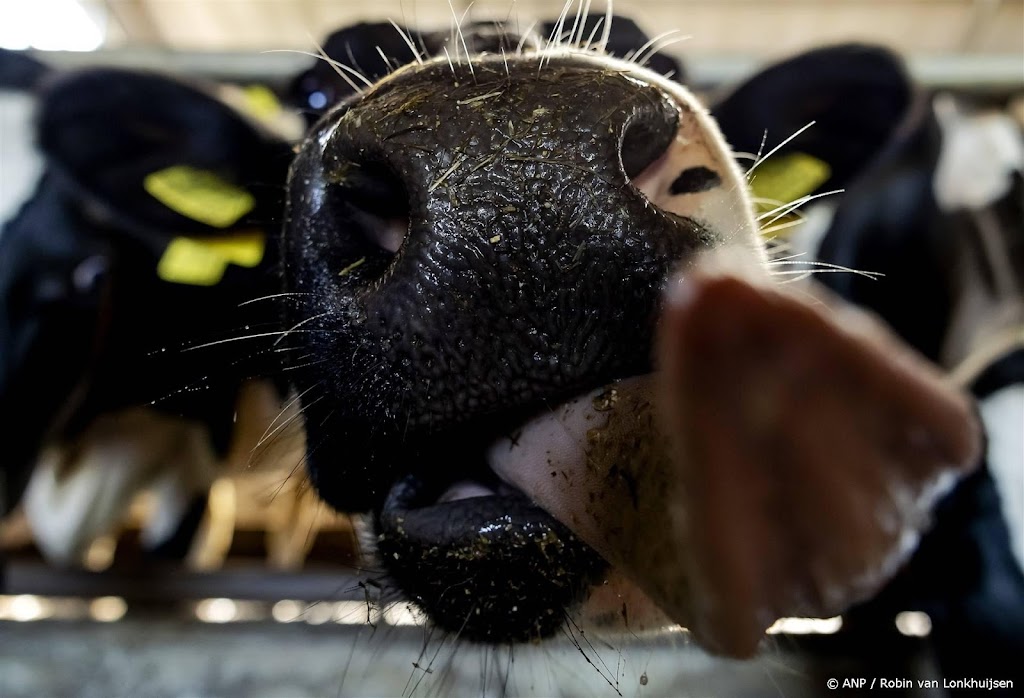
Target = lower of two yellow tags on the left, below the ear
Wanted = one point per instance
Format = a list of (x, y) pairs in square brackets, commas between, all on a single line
[(202, 261)]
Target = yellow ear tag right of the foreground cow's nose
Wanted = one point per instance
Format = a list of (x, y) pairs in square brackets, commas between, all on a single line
[(785, 180)]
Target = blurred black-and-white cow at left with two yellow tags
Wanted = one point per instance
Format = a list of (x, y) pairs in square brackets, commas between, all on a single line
[(120, 280)]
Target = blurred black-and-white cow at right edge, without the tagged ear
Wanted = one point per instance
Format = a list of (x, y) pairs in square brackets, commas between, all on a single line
[(942, 216)]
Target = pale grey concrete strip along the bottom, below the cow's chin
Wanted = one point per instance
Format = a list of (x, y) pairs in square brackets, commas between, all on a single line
[(159, 658)]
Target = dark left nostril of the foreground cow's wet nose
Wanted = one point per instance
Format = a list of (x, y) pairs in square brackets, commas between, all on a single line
[(375, 206)]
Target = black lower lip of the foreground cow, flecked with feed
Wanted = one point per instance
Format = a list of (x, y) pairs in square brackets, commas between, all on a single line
[(495, 568)]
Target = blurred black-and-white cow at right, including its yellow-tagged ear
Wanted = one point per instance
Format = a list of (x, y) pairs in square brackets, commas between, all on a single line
[(923, 224)]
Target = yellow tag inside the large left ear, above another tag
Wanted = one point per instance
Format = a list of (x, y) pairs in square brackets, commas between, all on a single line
[(199, 195)]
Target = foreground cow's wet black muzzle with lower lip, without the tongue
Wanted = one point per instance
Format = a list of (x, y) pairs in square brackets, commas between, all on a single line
[(445, 237)]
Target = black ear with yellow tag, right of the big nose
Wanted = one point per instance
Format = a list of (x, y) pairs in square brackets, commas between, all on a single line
[(847, 103)]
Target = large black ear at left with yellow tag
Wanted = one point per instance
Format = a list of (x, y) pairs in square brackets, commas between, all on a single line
[(158, 157)]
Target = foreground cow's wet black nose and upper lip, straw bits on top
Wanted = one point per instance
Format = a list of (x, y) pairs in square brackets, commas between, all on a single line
[(466, 242)]
